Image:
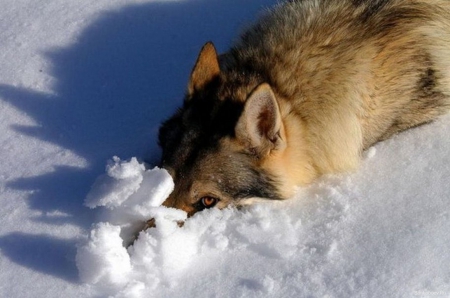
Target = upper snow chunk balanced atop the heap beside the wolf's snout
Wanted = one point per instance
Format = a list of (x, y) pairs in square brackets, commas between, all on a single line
[(132, 195)]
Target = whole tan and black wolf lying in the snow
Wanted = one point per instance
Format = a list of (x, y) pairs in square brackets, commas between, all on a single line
[(302, 93)]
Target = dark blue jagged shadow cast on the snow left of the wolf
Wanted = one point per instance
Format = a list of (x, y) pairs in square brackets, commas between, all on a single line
[(124, 75)]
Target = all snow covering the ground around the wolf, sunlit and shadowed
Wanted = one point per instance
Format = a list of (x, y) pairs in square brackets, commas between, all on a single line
[(82, 82)]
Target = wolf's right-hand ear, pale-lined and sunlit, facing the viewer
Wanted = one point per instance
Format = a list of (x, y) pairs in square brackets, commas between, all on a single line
[(259, 125)]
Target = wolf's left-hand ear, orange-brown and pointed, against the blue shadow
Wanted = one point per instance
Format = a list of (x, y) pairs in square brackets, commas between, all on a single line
[(206, 68)]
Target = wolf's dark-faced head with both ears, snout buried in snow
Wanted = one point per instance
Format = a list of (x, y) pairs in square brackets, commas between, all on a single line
[(226, 143)]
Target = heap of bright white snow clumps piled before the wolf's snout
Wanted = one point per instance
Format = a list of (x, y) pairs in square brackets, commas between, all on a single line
[(130, 195)]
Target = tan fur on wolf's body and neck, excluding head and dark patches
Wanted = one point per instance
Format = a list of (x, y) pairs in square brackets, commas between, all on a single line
[(349, 89)]
